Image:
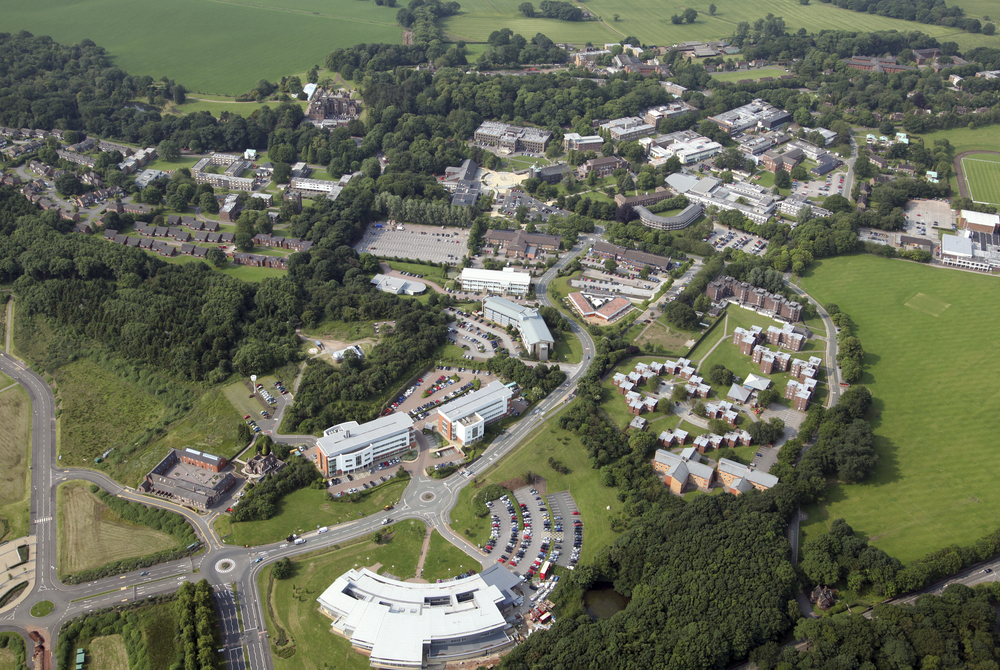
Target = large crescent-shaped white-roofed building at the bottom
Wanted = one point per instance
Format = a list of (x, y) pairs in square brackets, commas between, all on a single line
[(408, 625)]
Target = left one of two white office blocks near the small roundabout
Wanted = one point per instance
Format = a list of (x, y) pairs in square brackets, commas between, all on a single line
[(351, 446)]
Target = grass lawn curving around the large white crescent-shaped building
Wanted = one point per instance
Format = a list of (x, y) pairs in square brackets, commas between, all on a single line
[(293, 600)]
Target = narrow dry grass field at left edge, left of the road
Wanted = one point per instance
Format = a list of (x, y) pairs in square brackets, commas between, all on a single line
[(15, 455)]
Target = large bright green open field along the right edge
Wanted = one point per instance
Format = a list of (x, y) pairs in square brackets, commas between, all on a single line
[(929, 345)]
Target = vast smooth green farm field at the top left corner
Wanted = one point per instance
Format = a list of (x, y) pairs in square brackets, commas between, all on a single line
[(180, 39)]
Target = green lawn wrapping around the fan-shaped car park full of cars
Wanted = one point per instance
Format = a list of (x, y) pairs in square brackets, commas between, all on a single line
[(592, 497)]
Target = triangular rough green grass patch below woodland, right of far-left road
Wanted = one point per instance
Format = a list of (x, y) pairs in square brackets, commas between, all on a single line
[(99, 411)]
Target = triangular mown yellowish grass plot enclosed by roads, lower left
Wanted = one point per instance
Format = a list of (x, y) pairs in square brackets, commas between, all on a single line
[(91, 534)]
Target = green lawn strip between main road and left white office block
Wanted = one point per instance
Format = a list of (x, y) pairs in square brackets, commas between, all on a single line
[(308, 509)]
